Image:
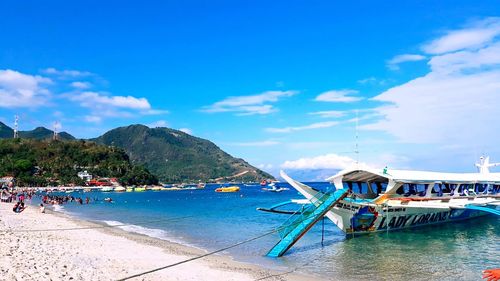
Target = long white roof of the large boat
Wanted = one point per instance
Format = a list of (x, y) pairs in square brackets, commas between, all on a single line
[(363, 173)]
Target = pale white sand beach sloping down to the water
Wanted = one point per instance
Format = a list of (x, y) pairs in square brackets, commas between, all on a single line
[(103, 253)]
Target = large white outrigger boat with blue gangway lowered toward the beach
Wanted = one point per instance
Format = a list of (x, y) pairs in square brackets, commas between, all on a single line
[(368, 200)]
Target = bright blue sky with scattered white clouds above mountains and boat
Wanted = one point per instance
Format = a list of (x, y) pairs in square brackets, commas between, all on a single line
[(278, 83)]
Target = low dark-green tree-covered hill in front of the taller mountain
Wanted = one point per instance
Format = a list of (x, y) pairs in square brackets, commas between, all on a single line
[(38, 163)]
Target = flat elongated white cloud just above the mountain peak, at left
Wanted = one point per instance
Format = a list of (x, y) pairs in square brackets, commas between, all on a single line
[(93, 99)]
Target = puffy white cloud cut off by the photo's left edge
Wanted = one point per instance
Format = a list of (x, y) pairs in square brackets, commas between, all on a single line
[(23, 90)]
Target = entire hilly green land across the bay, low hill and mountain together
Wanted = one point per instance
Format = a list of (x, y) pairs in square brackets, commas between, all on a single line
[(134, 154)]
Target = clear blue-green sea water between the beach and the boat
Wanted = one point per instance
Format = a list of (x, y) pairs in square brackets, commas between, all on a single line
[(210, 220)]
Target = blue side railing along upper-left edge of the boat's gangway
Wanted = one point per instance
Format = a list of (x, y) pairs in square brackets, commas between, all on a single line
[(301, 214)]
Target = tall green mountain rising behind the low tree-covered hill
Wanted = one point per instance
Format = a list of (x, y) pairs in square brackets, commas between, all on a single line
[(175, 156)]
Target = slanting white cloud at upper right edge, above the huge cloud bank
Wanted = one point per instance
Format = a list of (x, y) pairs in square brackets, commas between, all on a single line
[(474, 36)]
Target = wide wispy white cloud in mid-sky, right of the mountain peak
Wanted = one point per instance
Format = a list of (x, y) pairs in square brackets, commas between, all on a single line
[(249, 105)]
